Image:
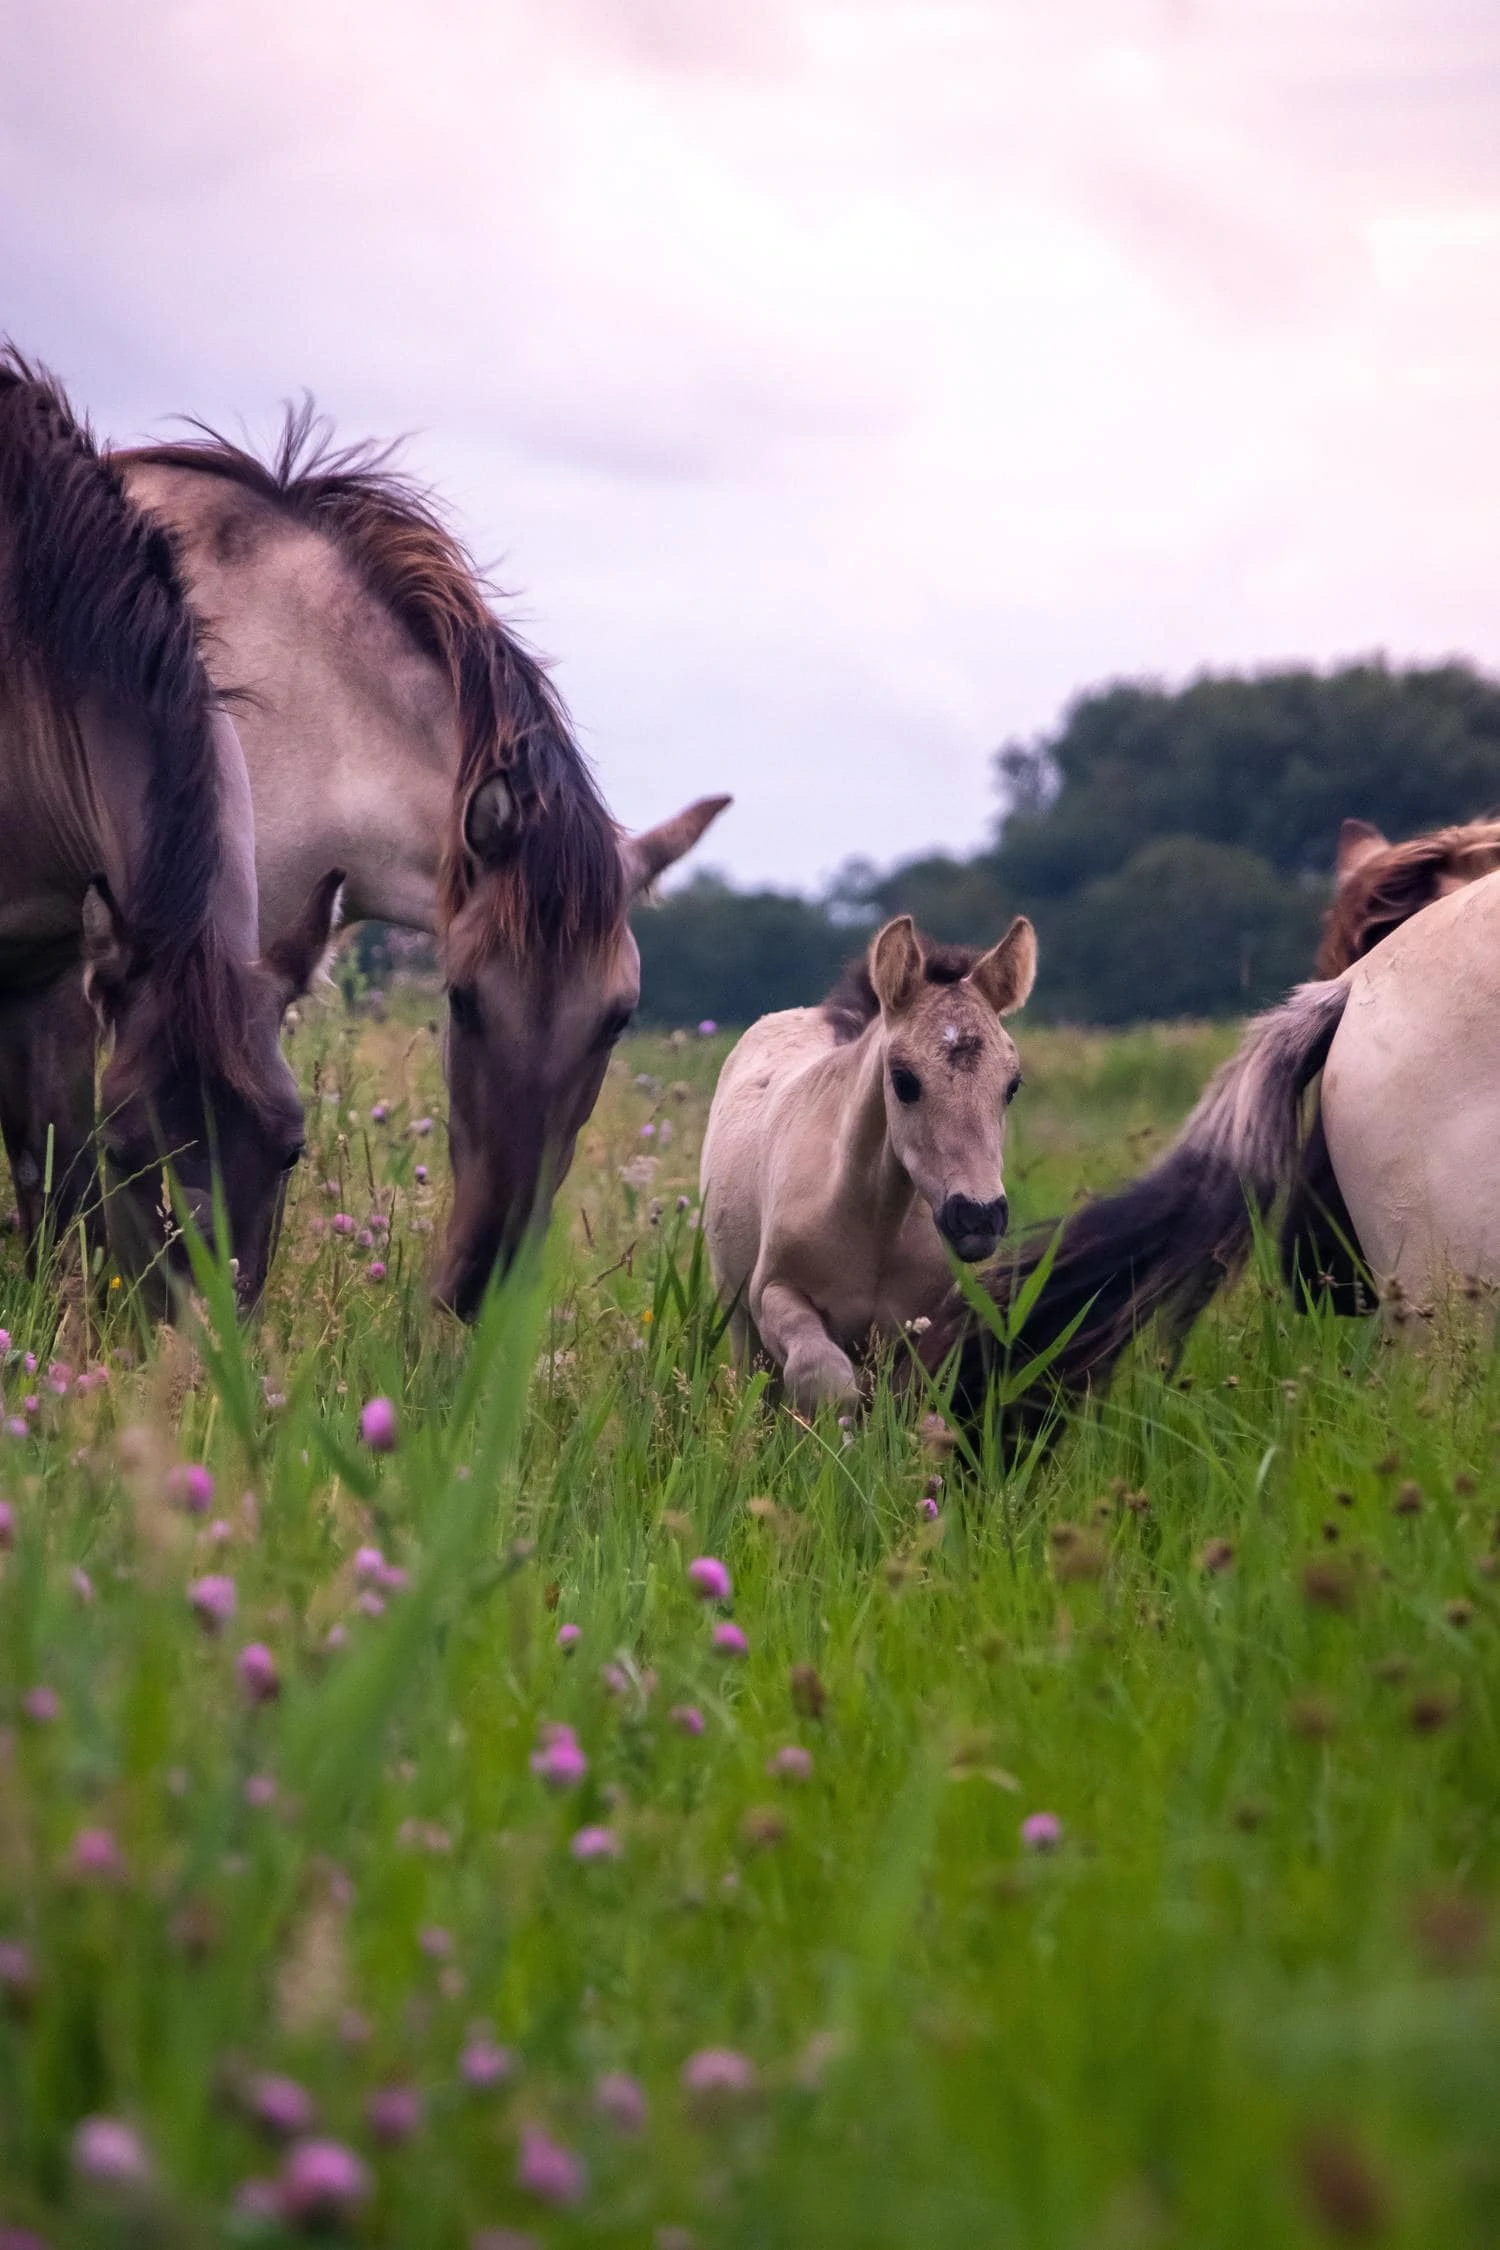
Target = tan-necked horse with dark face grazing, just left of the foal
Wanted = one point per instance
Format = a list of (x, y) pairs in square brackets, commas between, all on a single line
[(395, 728)]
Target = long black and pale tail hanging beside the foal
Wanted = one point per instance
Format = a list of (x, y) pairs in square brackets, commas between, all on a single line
[(1166, 1243)]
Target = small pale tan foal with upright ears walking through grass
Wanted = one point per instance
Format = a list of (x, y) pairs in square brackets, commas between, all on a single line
[(853, 1146)]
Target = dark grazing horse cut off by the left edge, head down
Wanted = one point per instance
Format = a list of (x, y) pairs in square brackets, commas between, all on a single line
[(127, 856)]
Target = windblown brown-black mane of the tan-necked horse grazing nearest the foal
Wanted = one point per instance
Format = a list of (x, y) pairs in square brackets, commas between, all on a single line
[(561, 883)]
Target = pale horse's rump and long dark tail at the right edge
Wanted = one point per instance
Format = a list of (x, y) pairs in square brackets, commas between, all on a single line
[(1409, 1047)]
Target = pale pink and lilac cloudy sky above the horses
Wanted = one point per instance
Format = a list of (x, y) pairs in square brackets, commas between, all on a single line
[(835, 388)]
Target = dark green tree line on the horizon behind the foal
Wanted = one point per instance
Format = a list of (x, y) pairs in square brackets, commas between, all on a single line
[(1175, 849)]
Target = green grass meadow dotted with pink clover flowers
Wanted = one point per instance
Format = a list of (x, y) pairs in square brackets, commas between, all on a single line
[(1101, 1857)]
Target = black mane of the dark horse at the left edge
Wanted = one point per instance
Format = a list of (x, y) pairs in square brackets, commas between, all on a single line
[(98, 604)]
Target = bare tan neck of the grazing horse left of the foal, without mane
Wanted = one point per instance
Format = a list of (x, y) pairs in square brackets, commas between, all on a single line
[(350, 732)]
